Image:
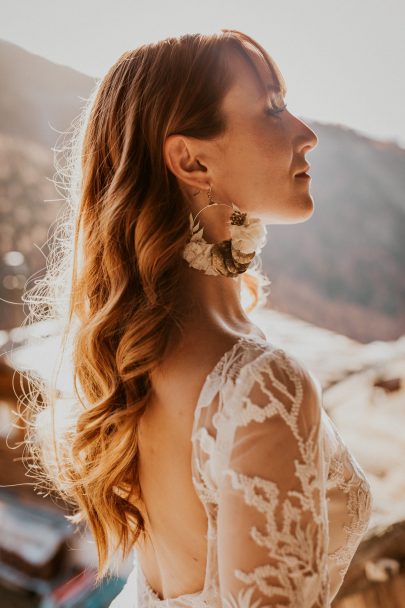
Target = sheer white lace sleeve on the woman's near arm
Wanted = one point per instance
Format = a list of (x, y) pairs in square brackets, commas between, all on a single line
[(272, 529)]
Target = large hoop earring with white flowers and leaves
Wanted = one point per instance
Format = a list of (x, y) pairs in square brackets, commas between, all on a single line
[(229, 257)]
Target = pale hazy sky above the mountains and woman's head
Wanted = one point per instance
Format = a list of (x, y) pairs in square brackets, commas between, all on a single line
[(343, 60)]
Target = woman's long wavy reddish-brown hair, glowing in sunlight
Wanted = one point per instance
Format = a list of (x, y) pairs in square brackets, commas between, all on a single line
[(111, 281)]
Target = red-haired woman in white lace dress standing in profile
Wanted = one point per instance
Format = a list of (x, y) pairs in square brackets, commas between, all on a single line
[(196, 442)]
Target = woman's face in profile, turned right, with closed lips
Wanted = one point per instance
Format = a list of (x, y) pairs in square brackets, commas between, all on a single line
[(255, 162)]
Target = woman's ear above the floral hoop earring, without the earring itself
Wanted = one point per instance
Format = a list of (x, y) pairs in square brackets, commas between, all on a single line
[(180, 156)]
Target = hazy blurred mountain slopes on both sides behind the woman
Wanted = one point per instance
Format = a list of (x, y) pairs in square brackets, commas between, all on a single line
[(343, 269)]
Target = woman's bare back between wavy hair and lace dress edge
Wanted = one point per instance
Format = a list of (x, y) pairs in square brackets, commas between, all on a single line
[(173, 557)]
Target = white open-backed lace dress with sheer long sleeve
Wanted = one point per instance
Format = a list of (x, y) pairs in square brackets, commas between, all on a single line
[(286, 501)]
